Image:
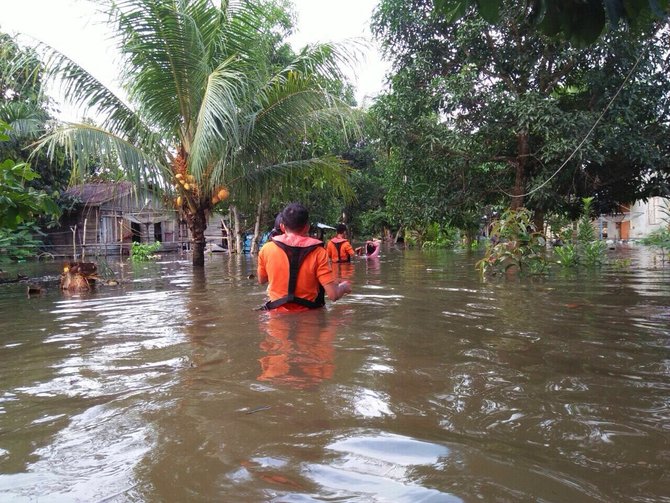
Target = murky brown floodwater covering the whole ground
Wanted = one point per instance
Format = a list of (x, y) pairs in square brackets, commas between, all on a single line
[(426, 384)]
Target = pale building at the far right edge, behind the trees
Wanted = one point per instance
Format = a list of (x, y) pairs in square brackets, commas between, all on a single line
[(635, 221)]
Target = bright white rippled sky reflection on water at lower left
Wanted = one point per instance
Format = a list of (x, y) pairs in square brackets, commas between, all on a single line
[(77, 403)]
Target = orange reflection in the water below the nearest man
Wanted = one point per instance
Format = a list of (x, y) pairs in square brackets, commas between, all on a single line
[(299, 349)]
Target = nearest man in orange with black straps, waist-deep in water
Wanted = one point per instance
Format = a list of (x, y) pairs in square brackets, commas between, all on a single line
[(296, 266)]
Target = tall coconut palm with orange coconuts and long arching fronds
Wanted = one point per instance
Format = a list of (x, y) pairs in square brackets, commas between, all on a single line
[(207, 113)]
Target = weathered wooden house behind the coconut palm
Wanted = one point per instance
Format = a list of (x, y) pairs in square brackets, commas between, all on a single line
[(111, 216)]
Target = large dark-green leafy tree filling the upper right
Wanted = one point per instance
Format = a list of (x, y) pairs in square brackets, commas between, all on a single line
[(511, 114)]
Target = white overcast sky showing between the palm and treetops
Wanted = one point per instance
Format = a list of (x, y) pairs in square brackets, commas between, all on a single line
[(70, 27)]
